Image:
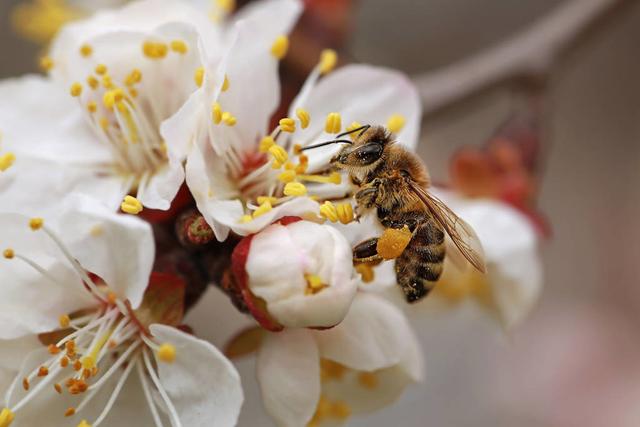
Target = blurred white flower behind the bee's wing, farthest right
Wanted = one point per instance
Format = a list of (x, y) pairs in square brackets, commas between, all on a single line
[(513, 281)]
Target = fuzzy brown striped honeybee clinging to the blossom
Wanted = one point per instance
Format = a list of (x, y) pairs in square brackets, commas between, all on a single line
[(394, 182)]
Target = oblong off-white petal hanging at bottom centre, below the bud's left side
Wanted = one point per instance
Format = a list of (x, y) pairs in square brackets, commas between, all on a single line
[(288, 370)]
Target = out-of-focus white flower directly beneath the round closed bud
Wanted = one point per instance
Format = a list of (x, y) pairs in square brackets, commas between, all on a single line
[(364, 363)]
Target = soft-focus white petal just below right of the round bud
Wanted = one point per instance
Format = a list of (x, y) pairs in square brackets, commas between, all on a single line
[(374, 335)]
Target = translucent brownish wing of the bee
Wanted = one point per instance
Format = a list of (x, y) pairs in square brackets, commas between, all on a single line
[(461, 233)]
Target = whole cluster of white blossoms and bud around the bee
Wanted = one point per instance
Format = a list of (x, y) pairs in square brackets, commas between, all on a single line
[(148, 160)]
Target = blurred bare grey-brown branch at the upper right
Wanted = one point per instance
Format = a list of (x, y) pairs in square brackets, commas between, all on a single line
[(528, 54)]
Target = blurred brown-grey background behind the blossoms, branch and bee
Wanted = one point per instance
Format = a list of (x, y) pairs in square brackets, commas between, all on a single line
[(576, 360)]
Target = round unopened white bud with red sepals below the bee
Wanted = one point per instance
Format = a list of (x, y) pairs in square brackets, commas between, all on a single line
[(301, 270)]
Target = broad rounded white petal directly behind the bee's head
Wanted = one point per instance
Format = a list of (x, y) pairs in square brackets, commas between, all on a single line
[(363, 94)]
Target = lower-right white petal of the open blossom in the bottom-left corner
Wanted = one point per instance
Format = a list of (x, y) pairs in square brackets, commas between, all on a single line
[(202, 384)]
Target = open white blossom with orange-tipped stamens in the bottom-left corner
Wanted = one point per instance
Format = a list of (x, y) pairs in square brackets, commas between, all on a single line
[(86, 289)]
